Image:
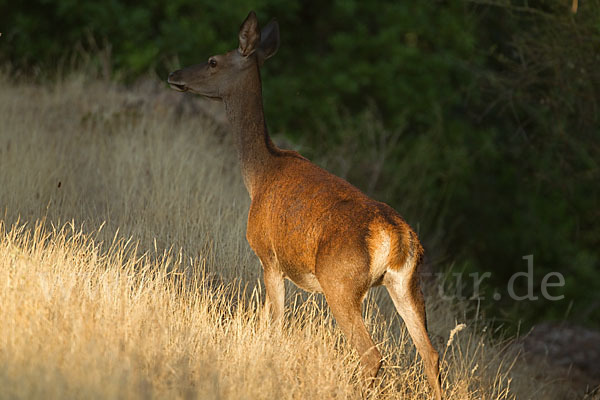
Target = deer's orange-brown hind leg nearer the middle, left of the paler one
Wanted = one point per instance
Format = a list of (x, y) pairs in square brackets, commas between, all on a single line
[(345, 302)]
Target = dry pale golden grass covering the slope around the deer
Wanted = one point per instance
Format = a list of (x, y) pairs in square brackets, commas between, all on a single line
[(124, 271)]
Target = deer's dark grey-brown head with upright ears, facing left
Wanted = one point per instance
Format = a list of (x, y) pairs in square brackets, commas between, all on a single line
[(222, 73)]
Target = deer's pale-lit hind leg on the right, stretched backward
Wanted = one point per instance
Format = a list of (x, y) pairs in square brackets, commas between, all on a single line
[(403, 287)]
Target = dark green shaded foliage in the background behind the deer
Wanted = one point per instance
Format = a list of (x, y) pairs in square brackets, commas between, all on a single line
[(480, 123)]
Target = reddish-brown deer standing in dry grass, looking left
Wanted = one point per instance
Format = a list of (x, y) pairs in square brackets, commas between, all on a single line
[(306, 224)]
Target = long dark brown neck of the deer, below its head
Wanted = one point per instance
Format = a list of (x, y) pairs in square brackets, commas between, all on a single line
[(256, 152)]
